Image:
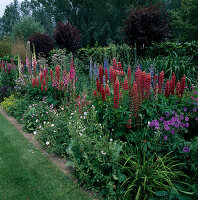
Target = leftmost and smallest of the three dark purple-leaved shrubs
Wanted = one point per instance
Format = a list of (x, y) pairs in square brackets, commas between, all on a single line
[(42, 42)]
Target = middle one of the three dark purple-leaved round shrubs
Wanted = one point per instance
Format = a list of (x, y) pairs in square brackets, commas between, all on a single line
[(67, 36)]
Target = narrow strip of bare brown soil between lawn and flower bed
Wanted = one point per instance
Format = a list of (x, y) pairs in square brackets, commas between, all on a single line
[(59, 162)]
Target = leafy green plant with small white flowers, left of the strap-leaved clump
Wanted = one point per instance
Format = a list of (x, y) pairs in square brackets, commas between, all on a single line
[(94, 155)]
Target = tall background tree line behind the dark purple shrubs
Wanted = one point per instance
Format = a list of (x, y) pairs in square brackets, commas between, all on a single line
[(98, 21)]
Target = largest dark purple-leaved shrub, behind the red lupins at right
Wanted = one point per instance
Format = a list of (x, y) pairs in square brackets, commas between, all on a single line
[(146, 25)]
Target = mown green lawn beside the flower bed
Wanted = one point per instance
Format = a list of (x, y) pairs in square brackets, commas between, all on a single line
[(25, 174)]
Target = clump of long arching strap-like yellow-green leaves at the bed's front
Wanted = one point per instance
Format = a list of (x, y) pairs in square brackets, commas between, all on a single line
[(147, 175)]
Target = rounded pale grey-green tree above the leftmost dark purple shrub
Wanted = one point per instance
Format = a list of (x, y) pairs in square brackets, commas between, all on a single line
[(23, 29)]
